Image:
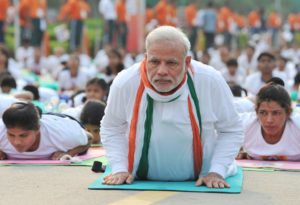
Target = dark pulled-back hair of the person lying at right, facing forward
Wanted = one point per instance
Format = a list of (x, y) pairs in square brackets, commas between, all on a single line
[(274, 92)]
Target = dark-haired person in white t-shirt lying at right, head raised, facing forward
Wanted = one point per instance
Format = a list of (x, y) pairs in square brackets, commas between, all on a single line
[(273, 132)]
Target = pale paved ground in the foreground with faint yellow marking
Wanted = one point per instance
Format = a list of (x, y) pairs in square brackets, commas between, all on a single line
[(68, 185)]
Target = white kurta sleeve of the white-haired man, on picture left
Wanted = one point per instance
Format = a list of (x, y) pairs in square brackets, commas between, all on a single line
[(114, 127)]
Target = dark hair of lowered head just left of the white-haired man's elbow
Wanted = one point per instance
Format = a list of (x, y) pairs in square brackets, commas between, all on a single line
[(92, 112)]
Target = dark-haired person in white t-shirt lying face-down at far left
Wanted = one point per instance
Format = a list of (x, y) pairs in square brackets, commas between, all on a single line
[(26, 134)]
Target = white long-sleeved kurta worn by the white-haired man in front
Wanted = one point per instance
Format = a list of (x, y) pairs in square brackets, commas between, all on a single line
[(171, 150)]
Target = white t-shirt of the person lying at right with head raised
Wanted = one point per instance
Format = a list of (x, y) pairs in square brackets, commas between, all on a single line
[(288, 148)]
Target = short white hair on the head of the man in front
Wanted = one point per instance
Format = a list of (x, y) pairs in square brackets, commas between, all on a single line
[(168, 33)]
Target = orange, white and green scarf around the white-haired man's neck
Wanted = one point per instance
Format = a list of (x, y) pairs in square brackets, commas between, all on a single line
[(142, 170)]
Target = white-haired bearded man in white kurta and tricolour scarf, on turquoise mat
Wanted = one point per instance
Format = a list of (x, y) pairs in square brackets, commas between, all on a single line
[(170, 118)]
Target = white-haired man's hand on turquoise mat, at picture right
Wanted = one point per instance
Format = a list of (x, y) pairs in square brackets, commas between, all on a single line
[(212, 180)]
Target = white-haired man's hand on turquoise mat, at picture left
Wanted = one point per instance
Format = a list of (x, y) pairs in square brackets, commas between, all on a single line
[(118, 178)]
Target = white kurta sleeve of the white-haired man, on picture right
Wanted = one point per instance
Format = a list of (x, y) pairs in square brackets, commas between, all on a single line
[(228, 126)]
